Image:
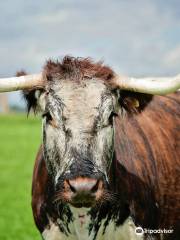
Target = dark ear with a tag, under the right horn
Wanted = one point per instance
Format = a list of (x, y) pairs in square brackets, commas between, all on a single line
[(133, 102)]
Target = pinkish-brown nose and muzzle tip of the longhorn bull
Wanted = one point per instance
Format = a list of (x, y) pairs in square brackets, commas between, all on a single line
[(84, 192)]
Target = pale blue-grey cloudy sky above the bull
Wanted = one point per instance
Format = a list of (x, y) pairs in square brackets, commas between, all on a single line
[(134, 37)]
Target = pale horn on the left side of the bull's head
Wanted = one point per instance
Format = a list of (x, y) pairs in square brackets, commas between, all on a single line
[(21, 83)]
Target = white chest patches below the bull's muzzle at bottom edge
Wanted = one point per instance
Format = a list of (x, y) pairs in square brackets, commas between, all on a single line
[(79, 232)]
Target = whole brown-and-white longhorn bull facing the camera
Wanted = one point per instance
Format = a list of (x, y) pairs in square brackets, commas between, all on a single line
[(109, 161)]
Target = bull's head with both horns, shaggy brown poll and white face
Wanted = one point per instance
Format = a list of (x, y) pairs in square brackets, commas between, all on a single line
[(79, 100)]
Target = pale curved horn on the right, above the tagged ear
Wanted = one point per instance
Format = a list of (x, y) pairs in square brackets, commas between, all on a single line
[(151, 85)]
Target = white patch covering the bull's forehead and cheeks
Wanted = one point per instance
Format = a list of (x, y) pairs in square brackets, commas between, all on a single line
[(80, 113)]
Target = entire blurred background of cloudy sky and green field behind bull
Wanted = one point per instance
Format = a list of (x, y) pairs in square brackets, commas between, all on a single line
[(138, 38)]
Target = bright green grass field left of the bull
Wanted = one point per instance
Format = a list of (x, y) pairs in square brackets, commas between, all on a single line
[(19, 141)]
